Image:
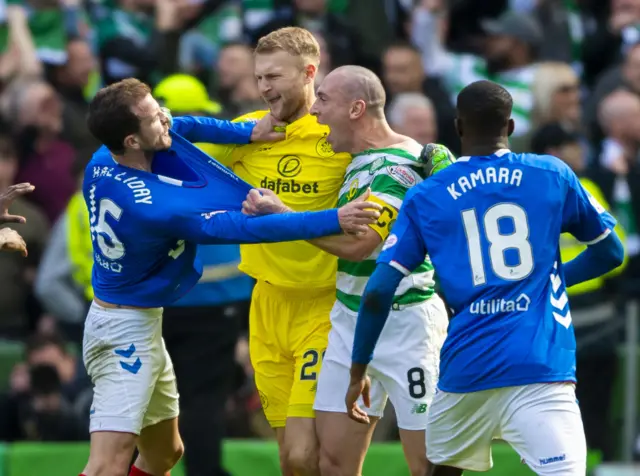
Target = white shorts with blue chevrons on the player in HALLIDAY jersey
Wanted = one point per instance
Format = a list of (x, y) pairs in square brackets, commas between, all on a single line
[(133, 380)]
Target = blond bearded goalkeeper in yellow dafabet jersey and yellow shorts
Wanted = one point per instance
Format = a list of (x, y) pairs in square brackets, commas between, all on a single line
[(295, 289)]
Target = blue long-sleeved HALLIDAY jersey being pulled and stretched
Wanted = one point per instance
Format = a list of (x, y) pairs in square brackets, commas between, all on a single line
[(145, 226)]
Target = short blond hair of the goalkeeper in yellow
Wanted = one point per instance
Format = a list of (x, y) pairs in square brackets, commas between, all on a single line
[(295, 41)]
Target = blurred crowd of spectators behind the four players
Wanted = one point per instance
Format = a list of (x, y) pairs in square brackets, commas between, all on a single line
[(572, 66)]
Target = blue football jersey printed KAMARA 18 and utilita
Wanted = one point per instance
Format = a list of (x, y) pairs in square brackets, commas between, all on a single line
[(492, 226)]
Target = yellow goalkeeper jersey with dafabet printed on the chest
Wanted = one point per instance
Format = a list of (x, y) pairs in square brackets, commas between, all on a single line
[(306, 174)]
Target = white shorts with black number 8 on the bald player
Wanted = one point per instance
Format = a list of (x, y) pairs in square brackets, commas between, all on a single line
[(405, 362)]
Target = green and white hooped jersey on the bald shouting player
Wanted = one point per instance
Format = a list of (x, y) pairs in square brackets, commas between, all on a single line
[(389, 173)]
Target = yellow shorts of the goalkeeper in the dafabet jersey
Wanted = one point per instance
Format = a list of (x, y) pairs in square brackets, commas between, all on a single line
[(288, 332)]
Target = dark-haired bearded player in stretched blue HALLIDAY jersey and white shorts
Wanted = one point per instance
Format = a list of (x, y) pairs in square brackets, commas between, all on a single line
[(152, 197)]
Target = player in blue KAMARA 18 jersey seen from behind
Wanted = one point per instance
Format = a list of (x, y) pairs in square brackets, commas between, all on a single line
[(491, 223)]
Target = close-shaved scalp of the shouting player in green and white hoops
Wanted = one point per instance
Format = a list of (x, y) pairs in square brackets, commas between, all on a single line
[(356, 83)]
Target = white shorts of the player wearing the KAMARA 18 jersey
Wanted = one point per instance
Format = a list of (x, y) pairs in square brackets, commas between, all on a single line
[(542, 422)]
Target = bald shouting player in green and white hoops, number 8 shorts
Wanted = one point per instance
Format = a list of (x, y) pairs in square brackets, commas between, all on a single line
[(351, 102)]
